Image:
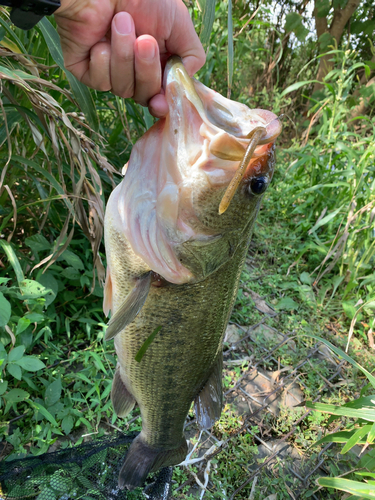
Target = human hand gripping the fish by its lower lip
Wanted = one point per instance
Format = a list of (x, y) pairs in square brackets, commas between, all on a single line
[(123, 45)]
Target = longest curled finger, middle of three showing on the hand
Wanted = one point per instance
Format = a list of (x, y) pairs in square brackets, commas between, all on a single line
[(122, 57)]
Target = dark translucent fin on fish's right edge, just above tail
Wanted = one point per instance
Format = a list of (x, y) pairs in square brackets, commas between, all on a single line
[(209, 401)]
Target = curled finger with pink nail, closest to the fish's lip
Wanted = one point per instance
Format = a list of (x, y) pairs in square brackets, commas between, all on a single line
[(147, 69)]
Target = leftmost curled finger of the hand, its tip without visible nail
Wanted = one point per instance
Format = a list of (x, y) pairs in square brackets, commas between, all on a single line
[(96, 72)]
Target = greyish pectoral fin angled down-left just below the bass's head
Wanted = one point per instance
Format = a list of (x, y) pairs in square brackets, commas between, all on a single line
[(130, 307)]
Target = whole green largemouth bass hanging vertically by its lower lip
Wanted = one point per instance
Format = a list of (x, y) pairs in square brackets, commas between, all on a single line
[(177, 230)]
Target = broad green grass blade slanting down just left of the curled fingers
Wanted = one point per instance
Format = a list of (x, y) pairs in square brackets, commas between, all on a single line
[(80, 91)]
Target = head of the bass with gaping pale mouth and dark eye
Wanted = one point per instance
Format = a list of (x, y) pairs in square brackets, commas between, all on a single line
[(196, 179)]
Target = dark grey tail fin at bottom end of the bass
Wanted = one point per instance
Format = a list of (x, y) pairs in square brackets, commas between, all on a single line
[(141, 459)]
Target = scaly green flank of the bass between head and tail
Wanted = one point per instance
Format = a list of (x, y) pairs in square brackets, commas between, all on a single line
[(188, 343)]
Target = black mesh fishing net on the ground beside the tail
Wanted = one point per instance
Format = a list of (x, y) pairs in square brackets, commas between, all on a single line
[(88, 472)]
